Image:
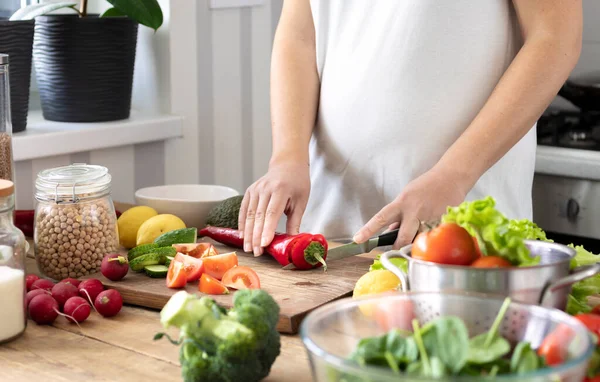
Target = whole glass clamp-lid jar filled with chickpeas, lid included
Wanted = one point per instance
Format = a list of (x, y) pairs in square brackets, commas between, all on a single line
[(75, 220)]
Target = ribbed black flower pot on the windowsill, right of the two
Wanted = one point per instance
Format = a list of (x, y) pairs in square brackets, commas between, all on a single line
[(84, 67)]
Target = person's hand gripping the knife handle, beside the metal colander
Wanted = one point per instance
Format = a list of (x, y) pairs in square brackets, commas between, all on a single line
[(424, 199)]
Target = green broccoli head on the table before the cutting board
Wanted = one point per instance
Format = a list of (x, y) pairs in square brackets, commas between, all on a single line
[(239, 344)]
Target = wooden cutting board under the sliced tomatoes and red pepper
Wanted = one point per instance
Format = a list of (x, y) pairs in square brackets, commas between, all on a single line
[(296, 292)]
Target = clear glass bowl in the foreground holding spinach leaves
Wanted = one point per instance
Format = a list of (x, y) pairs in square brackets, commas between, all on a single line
[(331, 332)]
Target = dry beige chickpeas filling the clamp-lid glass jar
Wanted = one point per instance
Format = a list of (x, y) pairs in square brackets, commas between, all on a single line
[(73, 238)]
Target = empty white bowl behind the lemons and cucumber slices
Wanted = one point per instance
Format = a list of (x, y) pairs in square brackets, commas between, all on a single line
[(190, 202)]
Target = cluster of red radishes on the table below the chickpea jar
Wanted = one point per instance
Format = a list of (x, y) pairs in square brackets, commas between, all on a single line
[(70, 298)]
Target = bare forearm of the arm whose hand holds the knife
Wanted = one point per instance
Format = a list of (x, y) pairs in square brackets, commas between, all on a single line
[(521, 96)]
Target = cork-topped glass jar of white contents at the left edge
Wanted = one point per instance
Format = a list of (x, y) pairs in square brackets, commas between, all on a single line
[(13, 317)]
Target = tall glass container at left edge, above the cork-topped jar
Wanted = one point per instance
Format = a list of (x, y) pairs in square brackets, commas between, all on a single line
[(6, 153)]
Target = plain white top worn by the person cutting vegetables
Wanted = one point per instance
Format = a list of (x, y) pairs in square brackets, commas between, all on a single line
[(400, 81)]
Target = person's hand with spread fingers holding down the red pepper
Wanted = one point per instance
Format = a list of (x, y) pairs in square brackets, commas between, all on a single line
[(283, 189)]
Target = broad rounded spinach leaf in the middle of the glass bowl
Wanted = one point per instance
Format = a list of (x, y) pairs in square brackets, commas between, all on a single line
[(447, 338)]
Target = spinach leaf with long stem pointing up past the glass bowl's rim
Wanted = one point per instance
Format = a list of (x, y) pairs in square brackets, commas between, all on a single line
[(489, 346)]
